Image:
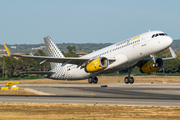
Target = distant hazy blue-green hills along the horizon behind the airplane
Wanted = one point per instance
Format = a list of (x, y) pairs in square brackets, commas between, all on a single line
[(83, 47)]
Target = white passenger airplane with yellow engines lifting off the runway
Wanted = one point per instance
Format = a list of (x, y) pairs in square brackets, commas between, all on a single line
[(123, 55)]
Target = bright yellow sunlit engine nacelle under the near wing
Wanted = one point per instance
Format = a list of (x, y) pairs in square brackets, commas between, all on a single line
[(97, 65)]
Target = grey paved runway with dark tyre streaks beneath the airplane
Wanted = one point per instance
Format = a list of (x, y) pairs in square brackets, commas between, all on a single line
[(145, 94)]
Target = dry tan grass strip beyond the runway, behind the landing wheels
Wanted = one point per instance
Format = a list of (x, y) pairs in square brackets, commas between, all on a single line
[(108, 79)]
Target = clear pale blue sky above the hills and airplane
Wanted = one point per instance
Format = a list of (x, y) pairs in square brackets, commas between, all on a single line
[(85, 21)]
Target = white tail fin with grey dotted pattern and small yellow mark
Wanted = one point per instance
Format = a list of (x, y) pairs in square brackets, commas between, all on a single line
[(52, 50)]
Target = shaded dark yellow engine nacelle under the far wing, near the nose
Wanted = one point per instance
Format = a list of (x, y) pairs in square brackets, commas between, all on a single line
[(148, 66)]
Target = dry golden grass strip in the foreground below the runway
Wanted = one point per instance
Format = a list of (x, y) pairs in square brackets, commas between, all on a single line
[(43, 111)]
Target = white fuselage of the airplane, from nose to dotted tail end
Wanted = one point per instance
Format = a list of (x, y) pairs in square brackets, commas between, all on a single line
[(126, 54)]
